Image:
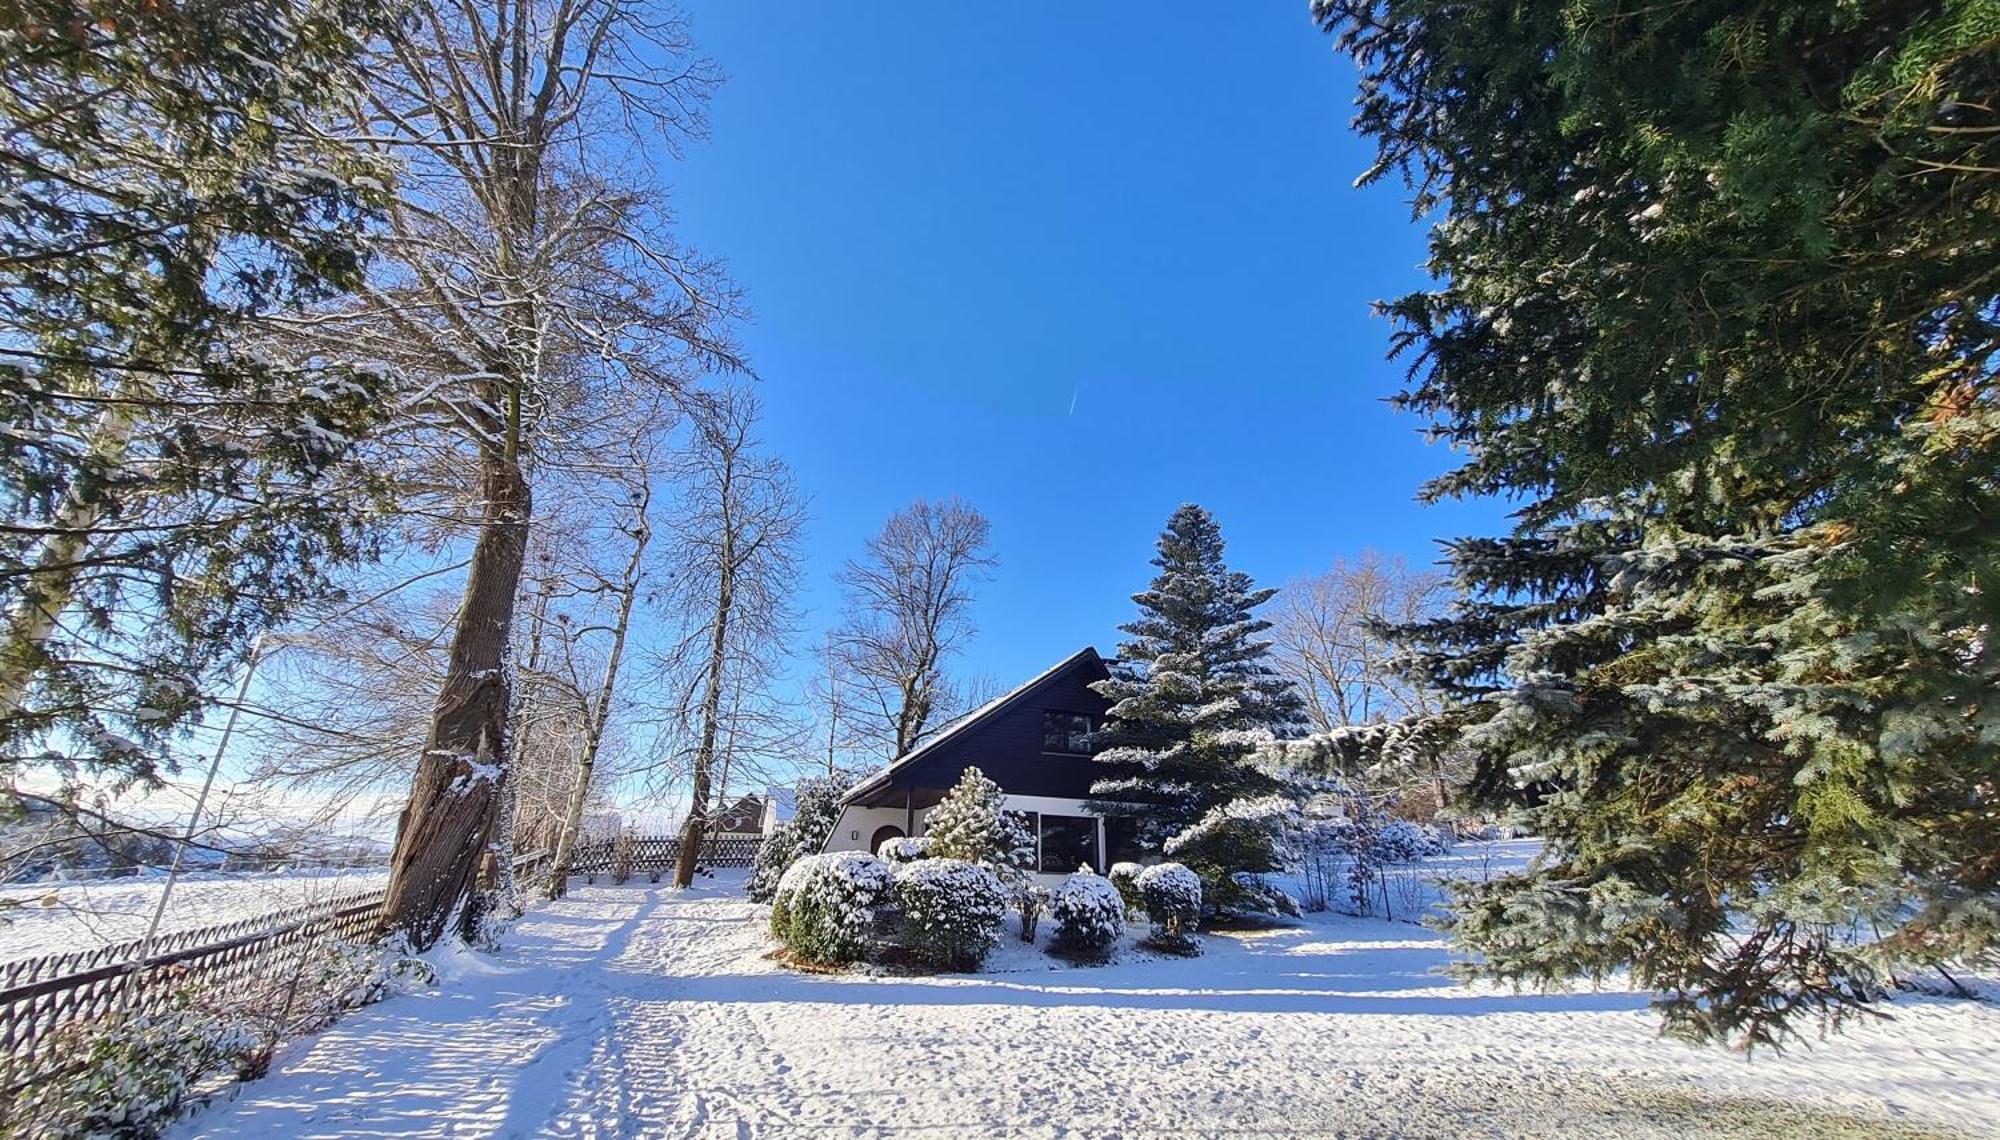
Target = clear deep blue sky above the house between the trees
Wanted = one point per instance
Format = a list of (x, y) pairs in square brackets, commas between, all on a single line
[(1077, 265)]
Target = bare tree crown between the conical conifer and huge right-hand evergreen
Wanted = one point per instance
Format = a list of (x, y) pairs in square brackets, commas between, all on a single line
[(1327, 641)]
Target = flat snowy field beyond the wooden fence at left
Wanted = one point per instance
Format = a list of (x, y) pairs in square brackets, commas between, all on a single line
[(55, 917)]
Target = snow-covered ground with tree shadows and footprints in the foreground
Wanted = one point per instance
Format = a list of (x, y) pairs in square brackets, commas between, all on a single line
[(639, 1013)]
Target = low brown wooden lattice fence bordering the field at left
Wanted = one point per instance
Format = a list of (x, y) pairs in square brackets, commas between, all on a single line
[(271, 967)]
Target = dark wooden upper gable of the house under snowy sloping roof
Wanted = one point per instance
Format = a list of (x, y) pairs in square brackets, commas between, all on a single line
[(1005, 741)]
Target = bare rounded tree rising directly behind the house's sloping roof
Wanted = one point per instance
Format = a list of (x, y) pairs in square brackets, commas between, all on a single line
[(909, 607)]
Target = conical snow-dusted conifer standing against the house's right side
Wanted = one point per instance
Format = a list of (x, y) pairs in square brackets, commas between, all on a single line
[(1193, 697)]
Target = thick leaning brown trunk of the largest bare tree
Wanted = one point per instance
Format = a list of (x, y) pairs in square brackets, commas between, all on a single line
[(455, 799)]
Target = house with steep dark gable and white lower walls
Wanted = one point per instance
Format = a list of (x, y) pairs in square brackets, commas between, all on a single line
[(1035, 743)]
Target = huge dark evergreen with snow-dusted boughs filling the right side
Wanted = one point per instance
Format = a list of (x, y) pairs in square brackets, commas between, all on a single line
[(1719, 309)]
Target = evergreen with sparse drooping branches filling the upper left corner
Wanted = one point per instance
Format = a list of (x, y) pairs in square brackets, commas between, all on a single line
[(173, 489)]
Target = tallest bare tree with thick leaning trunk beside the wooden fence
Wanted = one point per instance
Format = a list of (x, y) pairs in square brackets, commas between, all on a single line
[(525, 281)]
